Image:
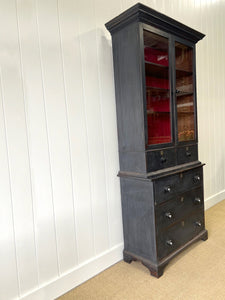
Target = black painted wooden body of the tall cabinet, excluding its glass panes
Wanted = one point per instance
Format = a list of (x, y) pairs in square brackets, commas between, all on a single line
[(161, 185)]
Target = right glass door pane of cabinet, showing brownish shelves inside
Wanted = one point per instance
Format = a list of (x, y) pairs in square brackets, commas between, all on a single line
[(184, 93)]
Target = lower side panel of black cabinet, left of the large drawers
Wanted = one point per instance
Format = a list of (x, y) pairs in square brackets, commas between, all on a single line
[(138, 217)]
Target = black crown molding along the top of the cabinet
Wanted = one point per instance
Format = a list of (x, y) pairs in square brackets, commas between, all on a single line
[(144, 14)]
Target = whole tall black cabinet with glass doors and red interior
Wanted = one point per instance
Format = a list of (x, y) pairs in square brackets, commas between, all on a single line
[(161, 177)]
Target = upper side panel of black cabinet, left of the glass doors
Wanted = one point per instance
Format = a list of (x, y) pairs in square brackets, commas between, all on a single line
[(129, 88)]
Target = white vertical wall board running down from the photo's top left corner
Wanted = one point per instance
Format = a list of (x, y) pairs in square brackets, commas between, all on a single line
[(16, 135)]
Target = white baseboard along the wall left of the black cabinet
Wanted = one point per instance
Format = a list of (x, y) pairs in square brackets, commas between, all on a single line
[(73, 278)]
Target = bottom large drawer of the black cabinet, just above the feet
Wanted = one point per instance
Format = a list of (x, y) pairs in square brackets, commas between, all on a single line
[(179, 234)]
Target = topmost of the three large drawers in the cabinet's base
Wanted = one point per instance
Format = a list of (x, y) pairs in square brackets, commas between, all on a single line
[(170, 186)]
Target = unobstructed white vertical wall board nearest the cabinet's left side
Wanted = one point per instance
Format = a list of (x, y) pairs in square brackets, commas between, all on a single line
[(94, 124)]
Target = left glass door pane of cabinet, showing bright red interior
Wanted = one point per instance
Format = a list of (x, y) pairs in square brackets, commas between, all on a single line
[(156, 50)]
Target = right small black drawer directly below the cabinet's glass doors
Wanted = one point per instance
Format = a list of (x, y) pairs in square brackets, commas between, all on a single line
[(187, 154)]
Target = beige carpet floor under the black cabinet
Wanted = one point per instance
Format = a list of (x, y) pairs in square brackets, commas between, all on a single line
[(197, 273)]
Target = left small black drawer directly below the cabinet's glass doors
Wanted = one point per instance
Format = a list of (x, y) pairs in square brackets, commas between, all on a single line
[(160, 159)]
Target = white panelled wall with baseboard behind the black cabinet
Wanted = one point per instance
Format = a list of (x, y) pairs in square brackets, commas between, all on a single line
[(60, 216)]
